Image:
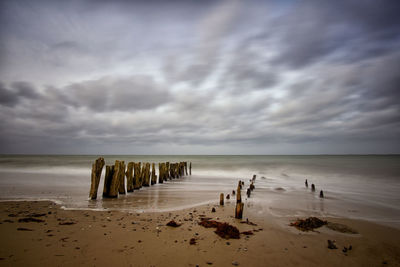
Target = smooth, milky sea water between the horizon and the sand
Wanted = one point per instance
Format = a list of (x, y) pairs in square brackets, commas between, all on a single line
[(360, 187)]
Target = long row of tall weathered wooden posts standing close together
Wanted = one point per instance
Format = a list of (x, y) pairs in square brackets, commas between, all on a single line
[(136, 173)]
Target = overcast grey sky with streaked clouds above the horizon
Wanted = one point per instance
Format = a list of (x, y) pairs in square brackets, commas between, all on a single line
[(200, 77)]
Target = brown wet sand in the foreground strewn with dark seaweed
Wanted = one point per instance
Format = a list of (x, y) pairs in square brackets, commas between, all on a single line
[(114, 238)]
